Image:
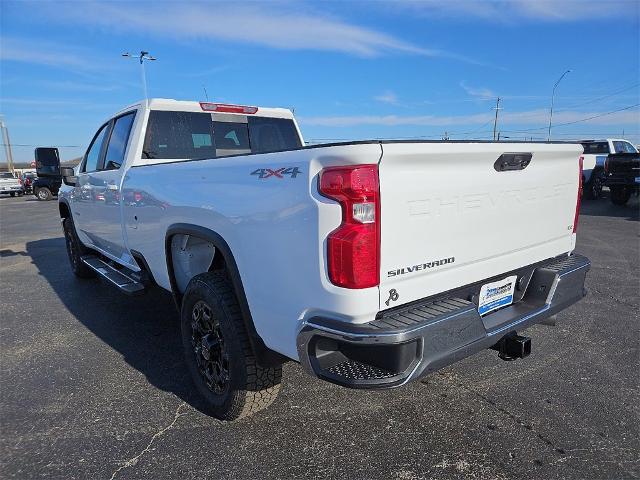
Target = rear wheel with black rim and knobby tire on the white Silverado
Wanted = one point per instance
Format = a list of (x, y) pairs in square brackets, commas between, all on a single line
[(225, 371)]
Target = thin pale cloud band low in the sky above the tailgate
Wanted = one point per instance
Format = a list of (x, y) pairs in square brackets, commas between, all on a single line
[(530, 117)]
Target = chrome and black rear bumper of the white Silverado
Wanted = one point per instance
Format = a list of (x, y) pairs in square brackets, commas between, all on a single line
[(404, 344)]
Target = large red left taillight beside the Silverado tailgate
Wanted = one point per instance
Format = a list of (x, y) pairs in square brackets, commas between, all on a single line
[(353, 249)]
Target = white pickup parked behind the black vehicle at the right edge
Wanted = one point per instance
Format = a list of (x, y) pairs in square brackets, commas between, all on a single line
[(595, 154)]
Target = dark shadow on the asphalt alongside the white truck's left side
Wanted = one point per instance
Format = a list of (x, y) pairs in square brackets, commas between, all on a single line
[(145, 330)]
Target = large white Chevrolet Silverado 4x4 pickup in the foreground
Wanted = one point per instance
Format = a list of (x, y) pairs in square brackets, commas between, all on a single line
[(371, 263)]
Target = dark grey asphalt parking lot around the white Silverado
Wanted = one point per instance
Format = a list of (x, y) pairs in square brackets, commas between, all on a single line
[(93, 385)]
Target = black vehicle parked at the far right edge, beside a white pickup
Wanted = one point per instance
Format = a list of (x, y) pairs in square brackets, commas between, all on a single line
[(622, 176)]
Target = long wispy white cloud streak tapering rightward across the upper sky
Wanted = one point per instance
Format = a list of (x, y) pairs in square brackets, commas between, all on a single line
[(268, 24)]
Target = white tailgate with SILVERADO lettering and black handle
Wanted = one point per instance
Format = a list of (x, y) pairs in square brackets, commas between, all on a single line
[(450, 216)]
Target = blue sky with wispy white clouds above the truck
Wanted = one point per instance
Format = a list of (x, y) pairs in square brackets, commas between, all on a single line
[(351, 70)]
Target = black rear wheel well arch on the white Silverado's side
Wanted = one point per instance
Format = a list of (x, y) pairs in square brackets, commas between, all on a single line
[(221, 258)]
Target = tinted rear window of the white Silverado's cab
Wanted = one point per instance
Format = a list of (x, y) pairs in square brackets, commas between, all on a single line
[(194, 135)]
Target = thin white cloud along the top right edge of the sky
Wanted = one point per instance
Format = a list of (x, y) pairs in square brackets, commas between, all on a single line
[(516, 10)]
